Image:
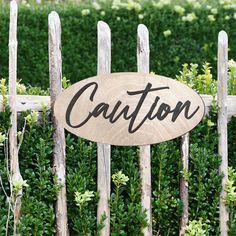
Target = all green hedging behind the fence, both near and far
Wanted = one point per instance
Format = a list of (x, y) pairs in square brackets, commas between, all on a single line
[(187, 41)]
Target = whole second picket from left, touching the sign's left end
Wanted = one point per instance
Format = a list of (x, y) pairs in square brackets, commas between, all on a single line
[(55, 70)]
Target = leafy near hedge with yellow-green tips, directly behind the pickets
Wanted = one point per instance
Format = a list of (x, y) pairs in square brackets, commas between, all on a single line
[(37, 215)]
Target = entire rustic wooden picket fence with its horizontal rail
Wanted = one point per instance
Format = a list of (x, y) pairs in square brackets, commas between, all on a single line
[(18, 103)]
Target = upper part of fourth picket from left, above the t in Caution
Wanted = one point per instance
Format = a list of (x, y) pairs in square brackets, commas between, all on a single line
[(143, 49)]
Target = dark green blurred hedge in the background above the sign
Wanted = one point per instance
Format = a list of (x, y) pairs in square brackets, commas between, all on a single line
[(194, 41)]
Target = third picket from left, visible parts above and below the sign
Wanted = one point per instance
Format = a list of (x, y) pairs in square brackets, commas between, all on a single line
[(104, 150)]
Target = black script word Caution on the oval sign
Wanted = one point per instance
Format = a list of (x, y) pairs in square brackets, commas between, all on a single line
[(119, 111)]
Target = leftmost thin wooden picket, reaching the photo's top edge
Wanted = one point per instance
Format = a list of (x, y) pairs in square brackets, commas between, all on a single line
[(13, 149)]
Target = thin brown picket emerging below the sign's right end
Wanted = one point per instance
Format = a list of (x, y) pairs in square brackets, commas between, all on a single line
[(184, 183)]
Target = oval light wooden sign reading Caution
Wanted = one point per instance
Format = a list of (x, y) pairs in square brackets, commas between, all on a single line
[(129, 109)]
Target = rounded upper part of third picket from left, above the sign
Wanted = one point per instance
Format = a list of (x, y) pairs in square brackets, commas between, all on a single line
[(104, 48)]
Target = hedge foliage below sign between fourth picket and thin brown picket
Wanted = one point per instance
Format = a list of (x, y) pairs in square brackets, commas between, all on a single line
[(165, 174)]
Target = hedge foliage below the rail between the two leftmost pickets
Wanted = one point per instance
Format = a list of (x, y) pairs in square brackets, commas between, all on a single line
[(35, 160)]
